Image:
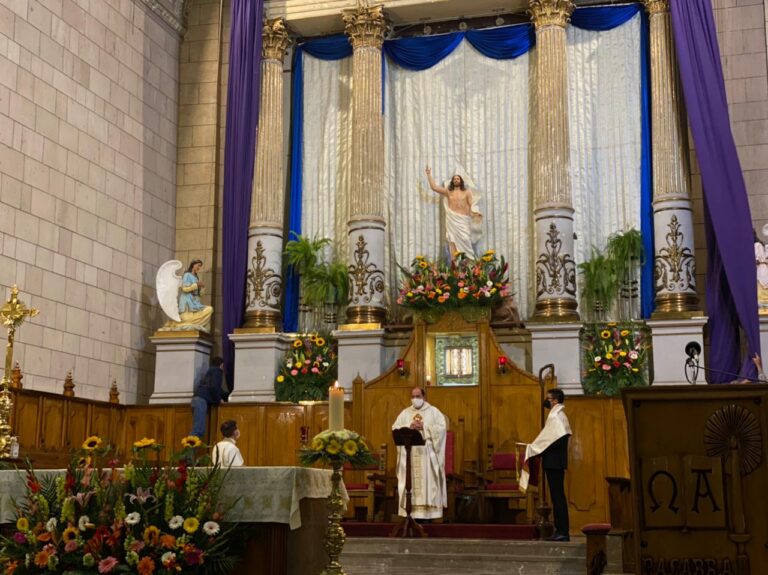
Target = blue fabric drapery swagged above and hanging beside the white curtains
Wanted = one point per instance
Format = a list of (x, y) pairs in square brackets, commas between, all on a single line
[(505, 42)]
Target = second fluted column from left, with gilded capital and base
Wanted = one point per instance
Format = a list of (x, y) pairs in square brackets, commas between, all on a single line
[(366, 228)]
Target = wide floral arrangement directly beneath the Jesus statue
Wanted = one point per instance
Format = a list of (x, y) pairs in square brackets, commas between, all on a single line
[(462, 282)]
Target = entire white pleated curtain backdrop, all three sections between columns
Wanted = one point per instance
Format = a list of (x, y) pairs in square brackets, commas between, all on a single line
[(472, 113)]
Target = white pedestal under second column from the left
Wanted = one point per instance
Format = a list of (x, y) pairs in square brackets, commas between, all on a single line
[(360, 352)]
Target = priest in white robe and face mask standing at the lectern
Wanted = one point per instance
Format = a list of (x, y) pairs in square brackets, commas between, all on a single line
[(428, 489)]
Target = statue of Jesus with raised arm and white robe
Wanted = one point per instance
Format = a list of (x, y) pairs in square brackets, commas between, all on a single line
[(460, 214)]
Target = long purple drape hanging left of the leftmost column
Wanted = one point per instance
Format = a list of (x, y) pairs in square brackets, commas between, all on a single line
[(239, 152)]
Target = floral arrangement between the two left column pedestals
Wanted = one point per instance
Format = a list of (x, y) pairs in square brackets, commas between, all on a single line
[(310, 366)]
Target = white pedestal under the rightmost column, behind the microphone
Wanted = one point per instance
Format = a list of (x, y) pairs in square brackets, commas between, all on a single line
[(670, 336)]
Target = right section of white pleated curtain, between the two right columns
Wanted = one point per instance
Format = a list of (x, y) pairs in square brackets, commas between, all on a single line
[(604, 99)]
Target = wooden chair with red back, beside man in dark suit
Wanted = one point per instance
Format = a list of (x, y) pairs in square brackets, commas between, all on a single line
[(502, 480)]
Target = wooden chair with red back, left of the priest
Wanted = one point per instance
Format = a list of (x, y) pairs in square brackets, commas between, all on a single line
[(373, 494)]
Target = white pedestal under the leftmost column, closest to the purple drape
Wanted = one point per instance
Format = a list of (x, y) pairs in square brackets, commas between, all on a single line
[(257, 362)]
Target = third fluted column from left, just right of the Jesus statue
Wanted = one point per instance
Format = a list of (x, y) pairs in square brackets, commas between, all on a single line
[(553, 210)]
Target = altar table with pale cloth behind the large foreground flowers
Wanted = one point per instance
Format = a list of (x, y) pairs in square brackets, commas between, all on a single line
[(283, 508)]
